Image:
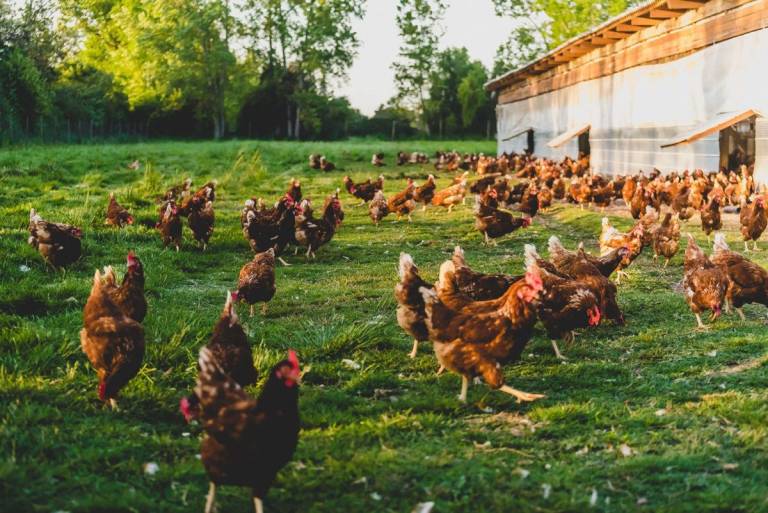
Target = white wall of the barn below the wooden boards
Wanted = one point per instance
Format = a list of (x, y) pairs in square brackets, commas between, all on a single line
[(633, 112)]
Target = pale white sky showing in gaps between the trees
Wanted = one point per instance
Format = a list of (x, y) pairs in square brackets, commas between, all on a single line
[(370, 82)]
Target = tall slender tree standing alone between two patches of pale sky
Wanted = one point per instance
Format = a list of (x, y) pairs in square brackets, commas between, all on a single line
[(418, 23)]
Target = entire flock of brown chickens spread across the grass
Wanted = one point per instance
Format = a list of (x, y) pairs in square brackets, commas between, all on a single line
[(476, 322)]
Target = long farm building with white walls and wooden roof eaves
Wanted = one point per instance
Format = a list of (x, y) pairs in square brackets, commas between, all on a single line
[(670, 84)]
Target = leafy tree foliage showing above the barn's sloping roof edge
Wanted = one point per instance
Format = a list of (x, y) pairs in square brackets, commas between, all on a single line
[(545, 24)]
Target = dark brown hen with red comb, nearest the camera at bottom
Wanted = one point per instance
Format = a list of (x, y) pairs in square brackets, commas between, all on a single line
[(247, 440)]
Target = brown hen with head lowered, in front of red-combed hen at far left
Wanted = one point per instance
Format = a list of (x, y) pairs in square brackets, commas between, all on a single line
[(112, 341)]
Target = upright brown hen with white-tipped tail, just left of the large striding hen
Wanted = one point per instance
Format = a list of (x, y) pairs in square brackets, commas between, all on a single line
[(410, 303)]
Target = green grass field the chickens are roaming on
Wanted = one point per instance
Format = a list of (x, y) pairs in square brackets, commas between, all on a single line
[(650, 416)]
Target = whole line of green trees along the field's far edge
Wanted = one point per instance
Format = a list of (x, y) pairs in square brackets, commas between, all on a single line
[(74, 70)]
